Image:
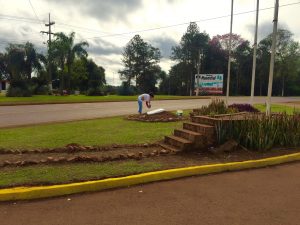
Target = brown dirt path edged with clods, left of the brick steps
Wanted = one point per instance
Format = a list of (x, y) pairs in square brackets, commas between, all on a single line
[(75, 153)]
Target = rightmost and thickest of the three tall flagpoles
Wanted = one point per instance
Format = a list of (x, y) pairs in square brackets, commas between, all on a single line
[(268, 110)]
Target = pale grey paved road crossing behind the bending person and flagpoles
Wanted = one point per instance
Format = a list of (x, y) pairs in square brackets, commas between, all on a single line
[(35, 114)]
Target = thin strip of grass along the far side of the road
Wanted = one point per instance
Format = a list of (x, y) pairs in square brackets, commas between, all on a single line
[(48, 99)]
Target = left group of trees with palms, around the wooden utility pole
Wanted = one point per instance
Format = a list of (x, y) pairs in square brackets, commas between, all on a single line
[(70, 68)]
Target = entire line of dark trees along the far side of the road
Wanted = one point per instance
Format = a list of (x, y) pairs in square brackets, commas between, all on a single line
[(66, 66)]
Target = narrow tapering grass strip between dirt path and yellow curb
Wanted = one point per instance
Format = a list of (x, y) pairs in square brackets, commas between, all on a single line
[(46, 174)]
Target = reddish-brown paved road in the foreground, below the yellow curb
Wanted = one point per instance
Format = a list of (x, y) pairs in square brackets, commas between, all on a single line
[(269, 196)]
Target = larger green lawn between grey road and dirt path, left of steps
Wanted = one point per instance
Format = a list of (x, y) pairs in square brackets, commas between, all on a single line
[(115, 130)]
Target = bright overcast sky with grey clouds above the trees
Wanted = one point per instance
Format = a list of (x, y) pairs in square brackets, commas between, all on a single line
[(108, 25)]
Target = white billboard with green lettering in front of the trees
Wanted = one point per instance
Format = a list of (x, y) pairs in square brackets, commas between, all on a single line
[(209, 83)]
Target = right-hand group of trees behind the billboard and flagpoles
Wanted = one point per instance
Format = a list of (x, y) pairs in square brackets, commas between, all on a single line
[(141, 72)]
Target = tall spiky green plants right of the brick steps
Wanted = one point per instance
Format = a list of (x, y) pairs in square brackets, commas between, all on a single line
[(262, 132)]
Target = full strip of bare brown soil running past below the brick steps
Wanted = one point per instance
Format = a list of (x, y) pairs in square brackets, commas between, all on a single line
[(74, 153)]
